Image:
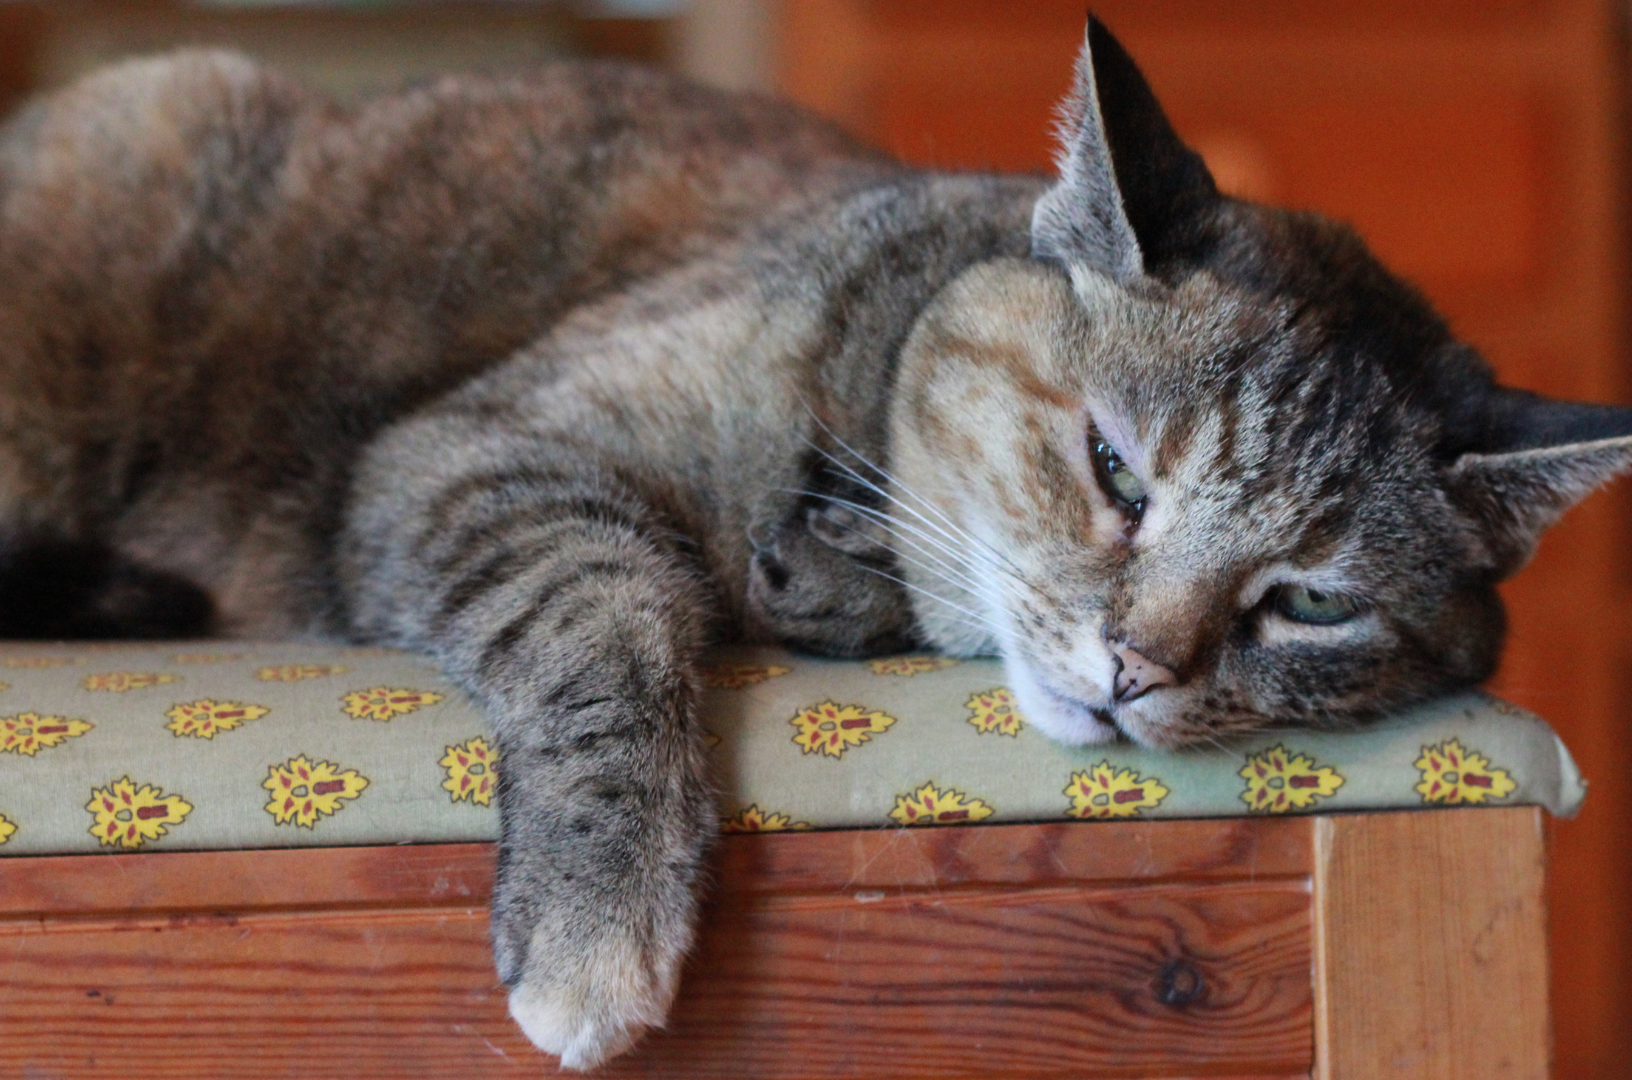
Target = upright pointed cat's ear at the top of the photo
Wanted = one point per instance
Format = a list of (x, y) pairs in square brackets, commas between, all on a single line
[(1132, 198)]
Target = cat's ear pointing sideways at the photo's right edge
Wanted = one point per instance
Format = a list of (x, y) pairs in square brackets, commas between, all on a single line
[(1540, 458)]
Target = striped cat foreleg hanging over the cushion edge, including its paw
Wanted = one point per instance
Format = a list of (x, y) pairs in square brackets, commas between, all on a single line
[(569, 614)]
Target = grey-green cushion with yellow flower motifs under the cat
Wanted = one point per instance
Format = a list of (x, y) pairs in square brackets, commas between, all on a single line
[(244, 746)]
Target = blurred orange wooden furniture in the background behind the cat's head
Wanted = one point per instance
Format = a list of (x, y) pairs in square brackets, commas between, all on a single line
[(1478, 146)]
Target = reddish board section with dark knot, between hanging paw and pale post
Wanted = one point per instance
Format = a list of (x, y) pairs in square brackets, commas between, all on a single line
[(1052, 983)]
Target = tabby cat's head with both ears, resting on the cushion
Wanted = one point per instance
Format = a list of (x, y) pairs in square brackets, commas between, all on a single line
[(1200, 466)]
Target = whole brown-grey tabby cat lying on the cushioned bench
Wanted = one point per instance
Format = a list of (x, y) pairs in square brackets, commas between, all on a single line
[(561, 379)]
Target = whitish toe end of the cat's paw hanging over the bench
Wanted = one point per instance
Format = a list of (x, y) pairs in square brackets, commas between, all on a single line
[(595, 1004)]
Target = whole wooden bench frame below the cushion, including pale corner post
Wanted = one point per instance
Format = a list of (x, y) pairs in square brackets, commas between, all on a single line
[(1347, 947)]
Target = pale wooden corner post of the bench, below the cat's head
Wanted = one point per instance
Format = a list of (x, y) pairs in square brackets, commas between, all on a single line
[(1458, 985)]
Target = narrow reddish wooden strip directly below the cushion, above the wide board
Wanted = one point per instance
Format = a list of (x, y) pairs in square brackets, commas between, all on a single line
[(453, 875)]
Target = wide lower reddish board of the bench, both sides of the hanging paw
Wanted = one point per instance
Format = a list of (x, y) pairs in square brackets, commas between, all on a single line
[(1019, 986)]
